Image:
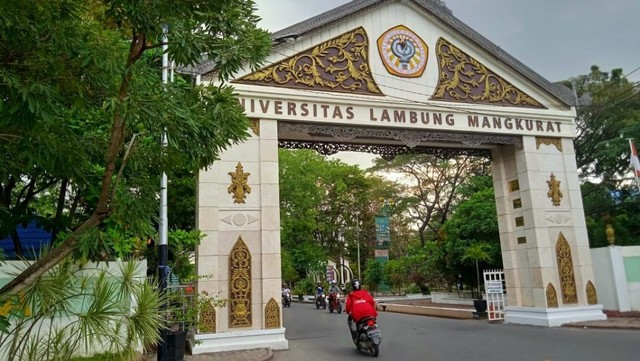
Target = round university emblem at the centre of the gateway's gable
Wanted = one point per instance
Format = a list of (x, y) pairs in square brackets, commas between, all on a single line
[(403, 53)]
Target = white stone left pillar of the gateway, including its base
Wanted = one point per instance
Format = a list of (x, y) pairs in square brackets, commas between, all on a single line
[(238, 199)]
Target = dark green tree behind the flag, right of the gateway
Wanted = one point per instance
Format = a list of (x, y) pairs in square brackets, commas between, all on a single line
[(605, 121)]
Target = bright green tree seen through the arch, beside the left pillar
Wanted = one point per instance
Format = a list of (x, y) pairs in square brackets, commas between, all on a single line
[(327, 210)]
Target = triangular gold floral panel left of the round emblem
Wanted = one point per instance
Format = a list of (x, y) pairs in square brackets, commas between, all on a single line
[(340, 64)]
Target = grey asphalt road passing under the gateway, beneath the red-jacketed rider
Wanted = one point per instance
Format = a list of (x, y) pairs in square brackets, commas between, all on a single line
[(318, 335)]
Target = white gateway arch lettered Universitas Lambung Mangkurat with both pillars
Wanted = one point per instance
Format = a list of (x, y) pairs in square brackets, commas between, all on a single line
[(395, 76)]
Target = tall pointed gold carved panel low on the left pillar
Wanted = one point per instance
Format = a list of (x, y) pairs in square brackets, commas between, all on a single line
[(240, 285)]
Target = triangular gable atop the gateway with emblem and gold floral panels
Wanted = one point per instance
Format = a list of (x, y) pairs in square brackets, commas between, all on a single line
[(412, 50)]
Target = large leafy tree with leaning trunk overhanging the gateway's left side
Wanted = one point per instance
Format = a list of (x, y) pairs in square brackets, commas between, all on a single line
[(82, 79)]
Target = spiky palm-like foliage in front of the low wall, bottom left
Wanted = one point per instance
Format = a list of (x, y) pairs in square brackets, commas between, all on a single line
[(114, 308)]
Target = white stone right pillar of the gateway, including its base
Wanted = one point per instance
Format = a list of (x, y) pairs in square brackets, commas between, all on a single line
[(540, 216)]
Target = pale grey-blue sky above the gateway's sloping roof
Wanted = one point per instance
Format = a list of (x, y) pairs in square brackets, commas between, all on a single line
[(558, 39)]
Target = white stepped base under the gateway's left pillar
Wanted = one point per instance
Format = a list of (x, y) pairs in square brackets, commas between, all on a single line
[(239, 340)]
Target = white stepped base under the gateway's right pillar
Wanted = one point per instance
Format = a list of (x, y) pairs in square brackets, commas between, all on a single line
[(553, 317)]
